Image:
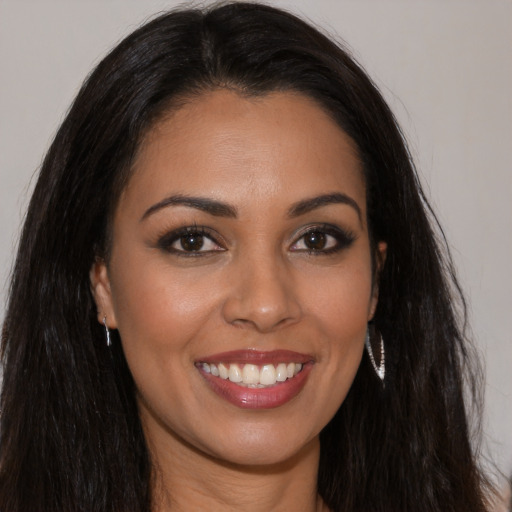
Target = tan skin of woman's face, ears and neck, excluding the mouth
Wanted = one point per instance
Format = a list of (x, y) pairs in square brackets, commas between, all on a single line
[(263, 275)]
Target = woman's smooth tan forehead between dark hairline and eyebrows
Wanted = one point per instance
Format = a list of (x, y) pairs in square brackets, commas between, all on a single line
[(279, 146)]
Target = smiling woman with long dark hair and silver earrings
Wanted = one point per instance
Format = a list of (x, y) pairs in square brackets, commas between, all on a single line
[(227, 217)]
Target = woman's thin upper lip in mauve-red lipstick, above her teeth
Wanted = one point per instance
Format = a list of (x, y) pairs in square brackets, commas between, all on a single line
[(251, 356)]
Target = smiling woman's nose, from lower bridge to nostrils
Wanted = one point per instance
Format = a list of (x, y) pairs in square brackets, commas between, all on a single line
[(262, 296)]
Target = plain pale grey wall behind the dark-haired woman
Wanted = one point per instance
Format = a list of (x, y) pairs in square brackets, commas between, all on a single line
[(445, 67)]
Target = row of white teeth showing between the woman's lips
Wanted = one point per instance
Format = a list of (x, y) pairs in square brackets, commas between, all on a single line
[(252, 375)]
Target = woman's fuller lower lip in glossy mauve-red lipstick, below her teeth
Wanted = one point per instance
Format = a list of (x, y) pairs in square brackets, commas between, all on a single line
[(259, 398)]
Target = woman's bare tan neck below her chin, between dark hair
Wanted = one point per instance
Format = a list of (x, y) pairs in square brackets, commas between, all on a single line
[(185, 479)]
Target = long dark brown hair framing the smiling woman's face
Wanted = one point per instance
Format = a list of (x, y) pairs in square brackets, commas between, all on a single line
[(70, 437)]
